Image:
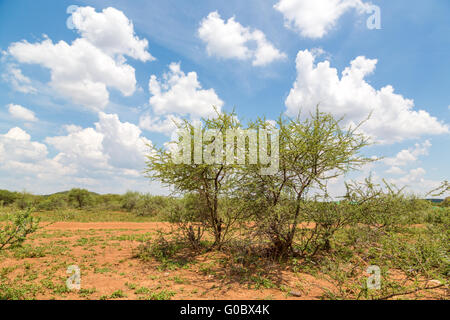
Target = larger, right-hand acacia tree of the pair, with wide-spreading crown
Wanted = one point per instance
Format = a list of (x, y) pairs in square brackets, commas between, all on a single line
[(311, 152)]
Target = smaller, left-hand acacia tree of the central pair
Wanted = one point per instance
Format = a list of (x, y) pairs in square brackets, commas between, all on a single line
[(210, 179)]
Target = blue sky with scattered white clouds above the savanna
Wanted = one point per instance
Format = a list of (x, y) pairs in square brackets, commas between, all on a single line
[(66, 122)]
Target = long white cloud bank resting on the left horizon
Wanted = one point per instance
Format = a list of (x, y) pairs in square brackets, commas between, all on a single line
[(109, 157)]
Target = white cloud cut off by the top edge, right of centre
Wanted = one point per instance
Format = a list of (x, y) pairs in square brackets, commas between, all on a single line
[(314, 19)]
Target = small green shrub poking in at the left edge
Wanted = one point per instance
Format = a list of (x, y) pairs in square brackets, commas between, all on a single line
[(18, 226)]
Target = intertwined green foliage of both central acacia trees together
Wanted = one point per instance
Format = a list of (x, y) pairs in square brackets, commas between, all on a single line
[(311, 151)]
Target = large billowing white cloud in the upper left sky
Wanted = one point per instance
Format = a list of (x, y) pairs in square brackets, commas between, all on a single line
[(84, 70)]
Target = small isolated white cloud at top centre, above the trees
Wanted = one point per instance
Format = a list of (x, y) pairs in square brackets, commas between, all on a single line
[(230, 40)]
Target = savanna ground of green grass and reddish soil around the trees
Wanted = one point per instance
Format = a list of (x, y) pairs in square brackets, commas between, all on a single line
[(127, 252)]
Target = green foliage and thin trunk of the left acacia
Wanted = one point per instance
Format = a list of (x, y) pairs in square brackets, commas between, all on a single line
[(210, 182)]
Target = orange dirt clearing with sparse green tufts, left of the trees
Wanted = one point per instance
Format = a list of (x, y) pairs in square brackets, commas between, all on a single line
[(104, 252)]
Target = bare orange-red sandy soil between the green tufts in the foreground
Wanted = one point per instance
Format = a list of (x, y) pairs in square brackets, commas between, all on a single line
[(123, 269)]
